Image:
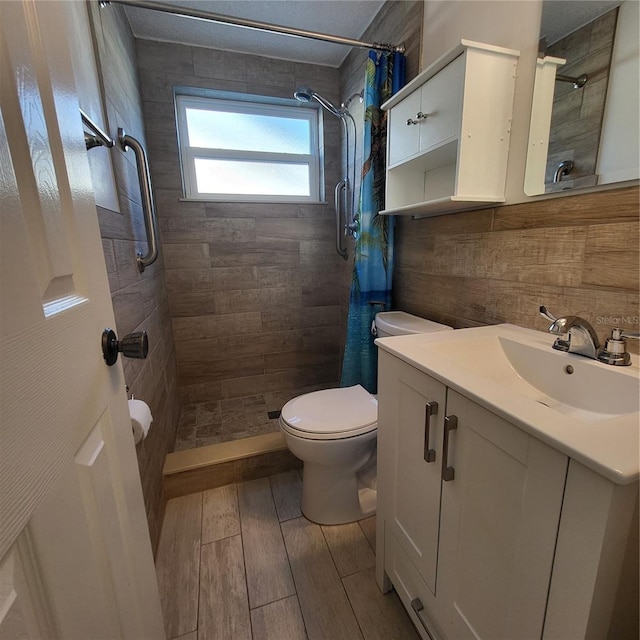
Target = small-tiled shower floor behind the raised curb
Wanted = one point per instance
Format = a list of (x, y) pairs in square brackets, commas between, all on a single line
[(208, 423)]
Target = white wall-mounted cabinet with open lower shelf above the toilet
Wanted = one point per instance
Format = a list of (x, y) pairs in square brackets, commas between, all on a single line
[(448, 133)]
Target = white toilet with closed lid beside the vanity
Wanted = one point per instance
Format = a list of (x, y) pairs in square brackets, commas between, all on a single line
[(334, 433)]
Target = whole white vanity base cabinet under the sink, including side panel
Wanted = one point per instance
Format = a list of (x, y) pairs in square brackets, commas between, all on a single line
[(478, 520)]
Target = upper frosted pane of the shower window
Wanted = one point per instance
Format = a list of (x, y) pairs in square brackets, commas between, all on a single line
[(247, 132)]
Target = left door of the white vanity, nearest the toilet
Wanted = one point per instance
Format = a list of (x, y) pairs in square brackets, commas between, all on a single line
[(412, 404)]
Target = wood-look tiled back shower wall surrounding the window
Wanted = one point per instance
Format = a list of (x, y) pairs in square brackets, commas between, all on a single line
[(251, 286)]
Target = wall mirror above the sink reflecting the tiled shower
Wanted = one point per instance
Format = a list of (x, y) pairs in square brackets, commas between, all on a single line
[(584, 127)]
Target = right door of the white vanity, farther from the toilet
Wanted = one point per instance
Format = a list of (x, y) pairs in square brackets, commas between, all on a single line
[(499, 523)]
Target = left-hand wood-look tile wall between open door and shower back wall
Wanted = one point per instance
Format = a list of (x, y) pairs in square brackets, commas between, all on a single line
[(139, 300)]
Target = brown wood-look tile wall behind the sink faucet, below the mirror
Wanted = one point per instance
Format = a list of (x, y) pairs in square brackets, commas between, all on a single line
[(577, 255)]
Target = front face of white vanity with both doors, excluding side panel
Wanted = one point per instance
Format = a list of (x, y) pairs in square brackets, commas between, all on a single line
[(467, 538)]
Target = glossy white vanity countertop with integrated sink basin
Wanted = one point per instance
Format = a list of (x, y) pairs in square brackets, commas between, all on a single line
[(587, 409)]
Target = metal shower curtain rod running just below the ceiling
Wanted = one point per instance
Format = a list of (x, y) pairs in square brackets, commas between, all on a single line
[(253, 24)]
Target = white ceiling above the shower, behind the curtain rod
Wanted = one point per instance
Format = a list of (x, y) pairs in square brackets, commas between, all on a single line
[(345, 18)]
